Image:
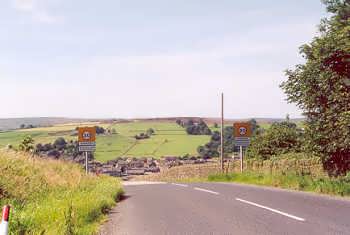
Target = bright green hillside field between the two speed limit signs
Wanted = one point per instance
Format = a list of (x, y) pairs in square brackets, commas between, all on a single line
[(169, 139)]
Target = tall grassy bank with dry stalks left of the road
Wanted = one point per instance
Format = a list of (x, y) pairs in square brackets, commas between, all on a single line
[(53, 197)]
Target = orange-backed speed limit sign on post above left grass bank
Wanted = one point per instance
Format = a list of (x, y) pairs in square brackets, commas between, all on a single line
[(87, 142)]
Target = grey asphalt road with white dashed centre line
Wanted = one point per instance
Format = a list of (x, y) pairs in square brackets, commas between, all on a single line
[(219, 208)]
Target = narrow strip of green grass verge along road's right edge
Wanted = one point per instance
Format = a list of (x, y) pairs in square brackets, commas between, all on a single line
[(333, 186)]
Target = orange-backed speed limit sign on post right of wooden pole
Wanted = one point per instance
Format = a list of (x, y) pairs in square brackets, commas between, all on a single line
[(242, 134)]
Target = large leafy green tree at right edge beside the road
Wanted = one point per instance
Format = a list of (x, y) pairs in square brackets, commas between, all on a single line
[(321, 88)]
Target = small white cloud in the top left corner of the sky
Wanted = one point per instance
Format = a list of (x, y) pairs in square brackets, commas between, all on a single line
[(37, 9)]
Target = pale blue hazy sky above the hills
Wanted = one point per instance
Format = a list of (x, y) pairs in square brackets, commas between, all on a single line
[(154, 58)]
